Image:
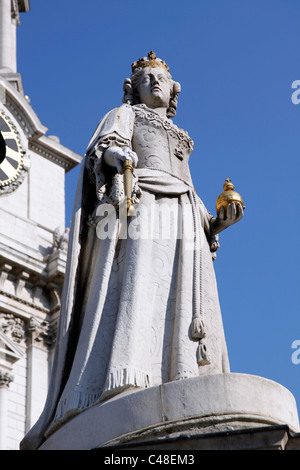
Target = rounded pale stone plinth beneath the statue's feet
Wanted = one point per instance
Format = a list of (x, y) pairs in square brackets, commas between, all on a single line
[(181, 409)]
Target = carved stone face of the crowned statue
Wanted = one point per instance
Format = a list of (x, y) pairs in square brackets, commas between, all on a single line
[(154, 87)]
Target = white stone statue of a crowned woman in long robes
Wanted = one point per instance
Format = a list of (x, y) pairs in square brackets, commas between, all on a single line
[(140, 305)]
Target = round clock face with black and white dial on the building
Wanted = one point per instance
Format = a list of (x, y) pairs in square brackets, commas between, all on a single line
[(11, 153)]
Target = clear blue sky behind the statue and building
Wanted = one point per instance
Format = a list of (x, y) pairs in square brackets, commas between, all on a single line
[(236, 61)]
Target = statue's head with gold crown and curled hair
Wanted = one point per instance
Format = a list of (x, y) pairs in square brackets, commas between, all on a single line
[(151, 84)]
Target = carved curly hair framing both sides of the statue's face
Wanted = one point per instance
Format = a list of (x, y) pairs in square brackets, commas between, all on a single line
[(131, 95)]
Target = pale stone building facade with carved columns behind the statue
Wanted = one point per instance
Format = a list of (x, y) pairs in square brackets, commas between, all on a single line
[(33, 242)]
